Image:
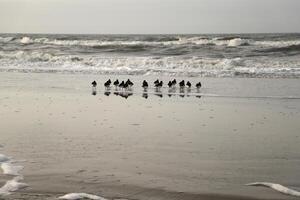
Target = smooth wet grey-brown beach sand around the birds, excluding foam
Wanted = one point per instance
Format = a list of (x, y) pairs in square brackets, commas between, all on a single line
[(68, 140)]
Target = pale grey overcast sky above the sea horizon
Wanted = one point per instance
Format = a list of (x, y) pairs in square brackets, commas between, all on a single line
[(149, 16)]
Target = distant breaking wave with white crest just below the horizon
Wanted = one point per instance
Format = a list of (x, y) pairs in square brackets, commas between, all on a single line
[(164, 40)]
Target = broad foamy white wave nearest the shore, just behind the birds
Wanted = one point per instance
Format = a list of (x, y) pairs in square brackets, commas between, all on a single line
[(23, 61)]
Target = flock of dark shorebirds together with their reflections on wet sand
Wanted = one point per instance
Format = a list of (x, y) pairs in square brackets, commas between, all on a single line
[(124, 88)]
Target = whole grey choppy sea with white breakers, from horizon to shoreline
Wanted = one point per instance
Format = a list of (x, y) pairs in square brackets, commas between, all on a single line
[(210, 55)]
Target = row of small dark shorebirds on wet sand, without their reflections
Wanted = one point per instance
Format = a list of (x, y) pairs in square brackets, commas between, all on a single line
[(157, 84)]
